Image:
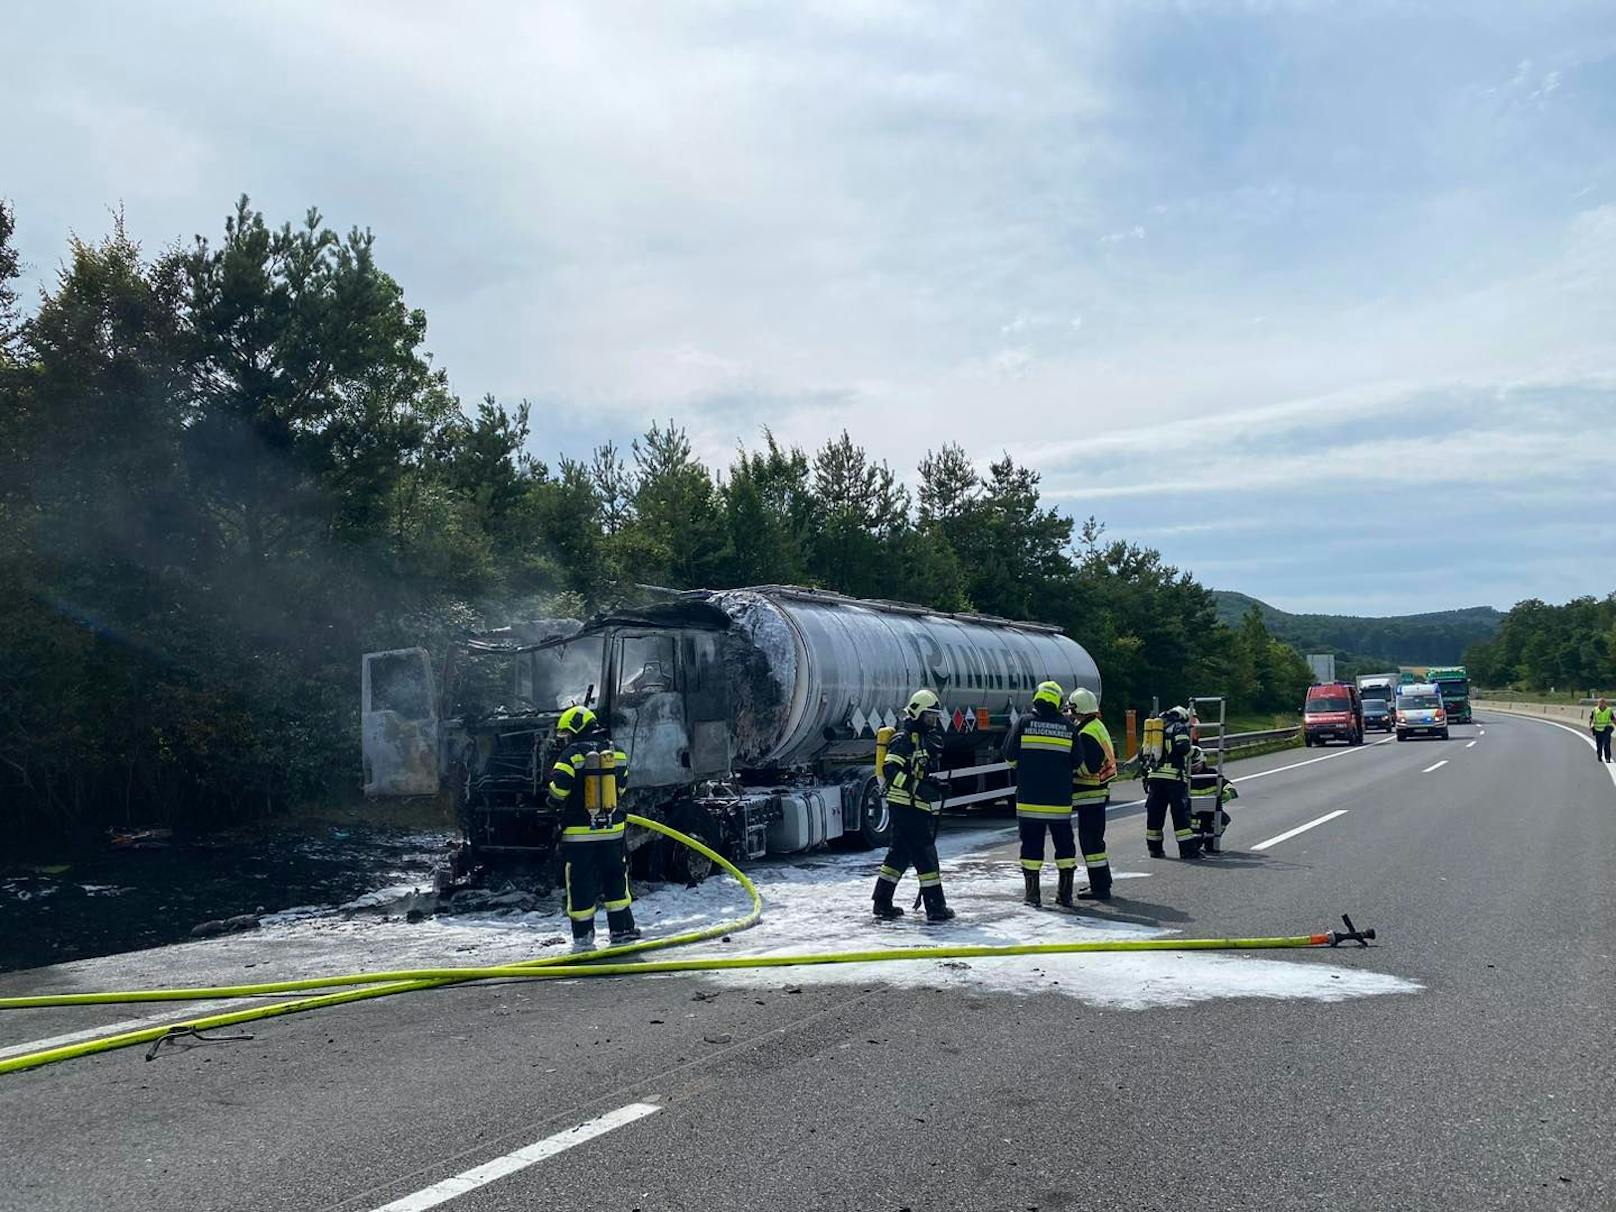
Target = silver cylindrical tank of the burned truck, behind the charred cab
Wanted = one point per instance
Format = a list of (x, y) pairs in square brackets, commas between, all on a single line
[(830, 667)]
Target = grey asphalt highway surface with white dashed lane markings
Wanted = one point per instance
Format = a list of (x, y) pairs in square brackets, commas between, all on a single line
[(1492, 1085)]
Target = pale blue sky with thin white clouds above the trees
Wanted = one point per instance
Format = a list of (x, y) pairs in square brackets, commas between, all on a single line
[(1316, 298)]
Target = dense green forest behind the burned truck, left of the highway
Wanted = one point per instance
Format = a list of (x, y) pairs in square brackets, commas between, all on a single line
[(232, 468)]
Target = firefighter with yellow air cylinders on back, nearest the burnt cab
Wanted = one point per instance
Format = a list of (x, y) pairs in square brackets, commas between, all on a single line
[(584, 788)]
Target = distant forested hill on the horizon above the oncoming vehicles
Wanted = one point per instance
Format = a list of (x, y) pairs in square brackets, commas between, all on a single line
[(1402, 639)]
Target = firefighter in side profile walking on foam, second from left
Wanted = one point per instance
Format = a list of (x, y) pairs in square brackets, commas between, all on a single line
[(914, 801)]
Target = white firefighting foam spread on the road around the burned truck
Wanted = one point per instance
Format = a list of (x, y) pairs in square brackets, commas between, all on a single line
[(817, 904)]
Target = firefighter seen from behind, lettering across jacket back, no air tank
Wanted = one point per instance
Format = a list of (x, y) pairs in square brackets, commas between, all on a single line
[(1040, 752)]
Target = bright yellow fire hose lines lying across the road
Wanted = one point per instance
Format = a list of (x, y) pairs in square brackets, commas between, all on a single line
[(570, 967)]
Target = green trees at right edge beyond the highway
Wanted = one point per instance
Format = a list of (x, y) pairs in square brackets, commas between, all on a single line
[(1542, 647)]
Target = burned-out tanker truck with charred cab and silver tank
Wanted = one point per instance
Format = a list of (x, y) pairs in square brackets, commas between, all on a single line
[(749, 718)]
